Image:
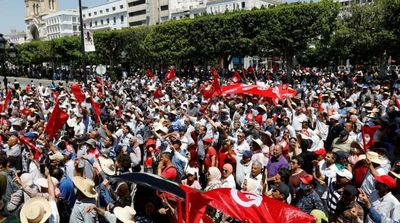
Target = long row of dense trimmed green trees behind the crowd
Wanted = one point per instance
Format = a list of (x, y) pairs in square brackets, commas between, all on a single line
[(363, 34)]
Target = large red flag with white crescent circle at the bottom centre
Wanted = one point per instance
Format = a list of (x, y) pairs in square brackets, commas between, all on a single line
[(254, 208)]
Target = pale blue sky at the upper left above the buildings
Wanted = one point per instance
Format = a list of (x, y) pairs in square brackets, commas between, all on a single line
[(12, 12)]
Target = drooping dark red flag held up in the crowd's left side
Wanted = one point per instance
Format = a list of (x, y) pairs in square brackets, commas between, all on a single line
[(56, 121)]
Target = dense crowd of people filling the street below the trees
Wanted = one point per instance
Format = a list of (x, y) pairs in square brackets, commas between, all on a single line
[(308, 151)]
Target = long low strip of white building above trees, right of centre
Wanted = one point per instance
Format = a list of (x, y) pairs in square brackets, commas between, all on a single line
[(220, 6)]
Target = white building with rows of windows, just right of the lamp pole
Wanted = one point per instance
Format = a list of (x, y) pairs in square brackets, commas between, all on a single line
[(108, 16)]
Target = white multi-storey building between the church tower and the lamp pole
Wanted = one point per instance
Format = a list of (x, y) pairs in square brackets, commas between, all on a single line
[(62, 23)]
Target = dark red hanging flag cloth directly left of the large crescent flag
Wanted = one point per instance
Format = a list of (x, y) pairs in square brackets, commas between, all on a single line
[(195, 203)]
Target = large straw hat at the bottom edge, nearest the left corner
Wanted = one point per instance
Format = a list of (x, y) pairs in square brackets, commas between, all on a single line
[(35, 210)]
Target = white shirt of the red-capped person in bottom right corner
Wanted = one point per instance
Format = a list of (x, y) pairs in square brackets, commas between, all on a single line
[(387, 206)]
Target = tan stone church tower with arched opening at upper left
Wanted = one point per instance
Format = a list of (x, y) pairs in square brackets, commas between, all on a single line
[(34, 12)]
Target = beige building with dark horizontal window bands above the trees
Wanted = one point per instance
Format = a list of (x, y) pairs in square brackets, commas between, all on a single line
[(147, 12)]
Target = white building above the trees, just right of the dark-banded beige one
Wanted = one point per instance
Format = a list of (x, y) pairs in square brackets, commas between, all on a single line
[(187, 8)]
